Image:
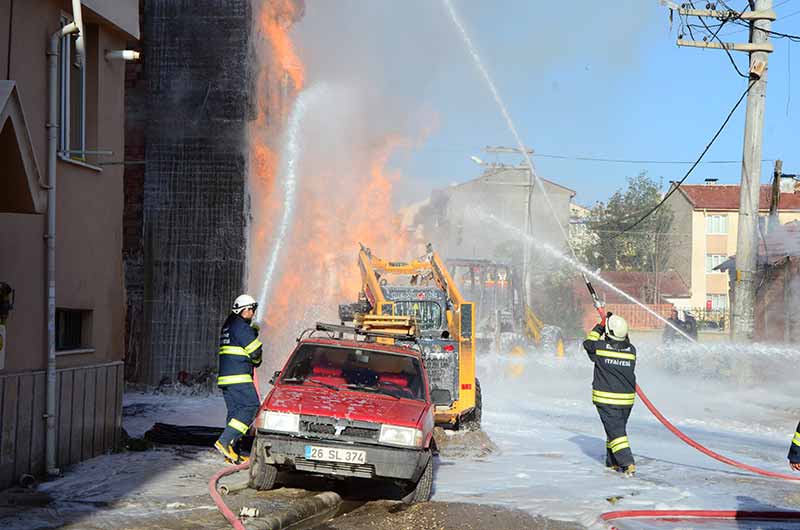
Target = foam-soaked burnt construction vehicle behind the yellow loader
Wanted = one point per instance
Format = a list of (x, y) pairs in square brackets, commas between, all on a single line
[(504, 322)]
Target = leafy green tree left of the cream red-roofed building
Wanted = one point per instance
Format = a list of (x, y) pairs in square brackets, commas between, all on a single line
[(644, 248)]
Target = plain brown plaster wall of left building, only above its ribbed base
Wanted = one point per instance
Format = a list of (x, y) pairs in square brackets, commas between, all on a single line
[(89, 204)]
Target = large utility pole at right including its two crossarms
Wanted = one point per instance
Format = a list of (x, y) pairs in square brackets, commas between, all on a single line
[(759, 48)]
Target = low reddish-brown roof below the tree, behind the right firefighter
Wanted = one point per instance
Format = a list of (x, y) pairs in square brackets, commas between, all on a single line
[(639, 284)]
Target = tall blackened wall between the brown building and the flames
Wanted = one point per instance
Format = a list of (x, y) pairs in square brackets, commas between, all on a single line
[(194, 203)]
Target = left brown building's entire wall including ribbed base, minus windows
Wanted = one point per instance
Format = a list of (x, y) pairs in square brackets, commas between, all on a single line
[(88, 254)]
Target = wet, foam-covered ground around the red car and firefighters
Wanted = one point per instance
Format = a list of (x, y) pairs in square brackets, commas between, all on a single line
[(548, 459)]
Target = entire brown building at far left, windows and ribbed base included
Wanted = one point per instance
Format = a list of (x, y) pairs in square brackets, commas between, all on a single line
[(89, 296)]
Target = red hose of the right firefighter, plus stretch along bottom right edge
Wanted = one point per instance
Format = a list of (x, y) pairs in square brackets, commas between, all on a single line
[(708, 514)]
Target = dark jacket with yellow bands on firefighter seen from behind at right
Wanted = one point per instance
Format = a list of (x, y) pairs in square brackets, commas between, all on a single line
[(614, 363)]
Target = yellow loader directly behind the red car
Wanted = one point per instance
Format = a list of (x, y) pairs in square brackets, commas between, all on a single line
[(424, 290)]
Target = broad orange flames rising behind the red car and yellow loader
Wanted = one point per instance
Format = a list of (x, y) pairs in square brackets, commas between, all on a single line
[(320, 270)]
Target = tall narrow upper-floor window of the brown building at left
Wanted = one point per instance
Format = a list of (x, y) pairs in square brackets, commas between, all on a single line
[(72, 93)]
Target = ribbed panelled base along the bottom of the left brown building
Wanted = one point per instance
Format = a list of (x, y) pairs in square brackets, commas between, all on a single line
[(88, 424)]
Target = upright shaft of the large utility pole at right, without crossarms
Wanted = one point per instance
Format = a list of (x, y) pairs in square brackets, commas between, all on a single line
[(743, 315)]
